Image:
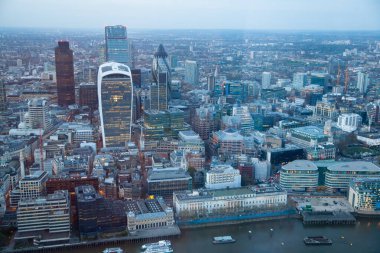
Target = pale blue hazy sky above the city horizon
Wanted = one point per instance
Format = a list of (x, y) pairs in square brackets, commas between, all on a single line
[(193, 14)]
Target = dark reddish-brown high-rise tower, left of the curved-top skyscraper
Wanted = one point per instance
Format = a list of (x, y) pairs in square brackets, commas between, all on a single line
[(64, 67)]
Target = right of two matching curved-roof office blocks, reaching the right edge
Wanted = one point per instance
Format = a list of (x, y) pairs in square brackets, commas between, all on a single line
[(339, 175)]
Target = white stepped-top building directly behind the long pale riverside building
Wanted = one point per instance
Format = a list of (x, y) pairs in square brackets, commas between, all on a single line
[(222, 176)]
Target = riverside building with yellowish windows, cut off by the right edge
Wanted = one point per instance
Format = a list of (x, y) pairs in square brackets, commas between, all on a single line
[(364, 194)]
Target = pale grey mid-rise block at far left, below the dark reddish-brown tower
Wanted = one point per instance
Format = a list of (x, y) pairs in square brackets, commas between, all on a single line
[(38, 114)]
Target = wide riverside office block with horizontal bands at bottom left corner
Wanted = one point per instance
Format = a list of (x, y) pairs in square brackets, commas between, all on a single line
[(45, 219)]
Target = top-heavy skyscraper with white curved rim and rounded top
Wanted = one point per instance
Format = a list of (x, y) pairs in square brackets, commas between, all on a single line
[(115, 94)]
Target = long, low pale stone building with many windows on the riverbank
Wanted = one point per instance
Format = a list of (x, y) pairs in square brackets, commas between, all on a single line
[(232, 201)]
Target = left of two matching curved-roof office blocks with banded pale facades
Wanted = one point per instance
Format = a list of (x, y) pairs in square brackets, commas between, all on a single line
[(299, 175)]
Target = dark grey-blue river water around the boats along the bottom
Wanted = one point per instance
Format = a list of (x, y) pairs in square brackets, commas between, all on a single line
[(287, 236)]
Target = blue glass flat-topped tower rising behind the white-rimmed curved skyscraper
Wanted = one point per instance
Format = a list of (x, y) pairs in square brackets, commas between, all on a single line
[(117, 48)]
